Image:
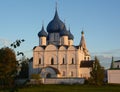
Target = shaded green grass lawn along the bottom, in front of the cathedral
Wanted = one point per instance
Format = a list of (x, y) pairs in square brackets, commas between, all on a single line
[(71, 88)]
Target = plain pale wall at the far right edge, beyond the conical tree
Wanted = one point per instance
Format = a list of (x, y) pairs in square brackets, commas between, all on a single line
[(113, 76)]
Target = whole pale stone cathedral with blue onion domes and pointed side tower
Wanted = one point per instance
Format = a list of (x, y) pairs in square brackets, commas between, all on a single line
[(57, 56)]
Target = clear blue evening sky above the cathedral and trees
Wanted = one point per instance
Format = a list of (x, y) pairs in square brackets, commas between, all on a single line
[(99, 19)]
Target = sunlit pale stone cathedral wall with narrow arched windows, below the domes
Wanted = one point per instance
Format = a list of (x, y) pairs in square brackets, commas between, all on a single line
[(69, 67)]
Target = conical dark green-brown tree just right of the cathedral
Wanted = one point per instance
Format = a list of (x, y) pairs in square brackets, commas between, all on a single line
[(97, 73)]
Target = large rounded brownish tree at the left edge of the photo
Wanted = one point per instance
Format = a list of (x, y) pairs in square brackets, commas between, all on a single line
[(8, 66)]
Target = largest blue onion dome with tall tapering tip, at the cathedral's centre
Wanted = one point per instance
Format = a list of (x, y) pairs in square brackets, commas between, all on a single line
[(55, 25)]
